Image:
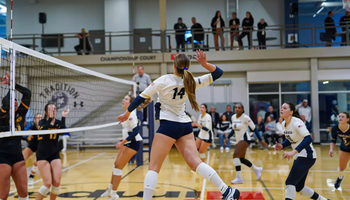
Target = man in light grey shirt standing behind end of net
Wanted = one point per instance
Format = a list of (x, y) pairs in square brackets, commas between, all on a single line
[(143, 81)]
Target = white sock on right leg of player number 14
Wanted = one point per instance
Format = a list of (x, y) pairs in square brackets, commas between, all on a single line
[(210, 174)]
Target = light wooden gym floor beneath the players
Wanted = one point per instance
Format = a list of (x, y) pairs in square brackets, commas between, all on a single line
[(87, 174)]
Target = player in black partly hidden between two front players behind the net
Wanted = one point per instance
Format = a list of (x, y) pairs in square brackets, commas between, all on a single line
[(32, 147)]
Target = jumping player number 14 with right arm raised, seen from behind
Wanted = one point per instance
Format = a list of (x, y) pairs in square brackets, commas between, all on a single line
[(175, 126)]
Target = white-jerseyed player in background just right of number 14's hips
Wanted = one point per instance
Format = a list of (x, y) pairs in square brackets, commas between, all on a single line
[(205, 134)]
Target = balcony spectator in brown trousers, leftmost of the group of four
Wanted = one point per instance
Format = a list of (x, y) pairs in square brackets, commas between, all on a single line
[(218, 25)]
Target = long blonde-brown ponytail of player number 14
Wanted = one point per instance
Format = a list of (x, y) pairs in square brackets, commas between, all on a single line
[(190, 89)]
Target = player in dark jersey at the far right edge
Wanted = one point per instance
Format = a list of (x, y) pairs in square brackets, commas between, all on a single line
[(342, 130)]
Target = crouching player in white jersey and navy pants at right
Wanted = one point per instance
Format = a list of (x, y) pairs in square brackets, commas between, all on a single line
[(303, 153)]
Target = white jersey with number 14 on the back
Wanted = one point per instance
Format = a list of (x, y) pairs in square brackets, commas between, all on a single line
[(172, 95)]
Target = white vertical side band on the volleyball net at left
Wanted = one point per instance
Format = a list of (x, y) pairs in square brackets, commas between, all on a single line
[(12, 89)]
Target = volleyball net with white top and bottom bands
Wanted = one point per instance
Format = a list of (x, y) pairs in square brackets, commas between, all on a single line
[(94, 99)]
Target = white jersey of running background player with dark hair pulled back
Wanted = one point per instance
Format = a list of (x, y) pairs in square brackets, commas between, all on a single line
[(240, 126)]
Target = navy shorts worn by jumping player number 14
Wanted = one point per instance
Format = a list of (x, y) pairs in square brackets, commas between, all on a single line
[(174, 130)]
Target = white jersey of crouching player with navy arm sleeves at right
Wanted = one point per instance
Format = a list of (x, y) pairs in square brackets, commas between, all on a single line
[(295, 133)]
